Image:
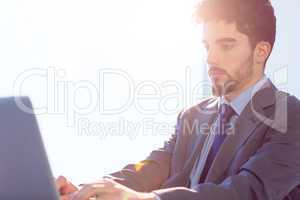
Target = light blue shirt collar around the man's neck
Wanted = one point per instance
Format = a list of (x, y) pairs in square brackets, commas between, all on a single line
[(239, 103)]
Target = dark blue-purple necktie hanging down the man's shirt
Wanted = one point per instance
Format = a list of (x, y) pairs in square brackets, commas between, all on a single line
[(225, 113)]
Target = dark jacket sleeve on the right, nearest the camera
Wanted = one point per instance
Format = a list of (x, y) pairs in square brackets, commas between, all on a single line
[(271, 174)]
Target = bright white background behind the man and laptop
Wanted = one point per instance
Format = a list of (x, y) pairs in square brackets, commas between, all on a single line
[(54, 51)]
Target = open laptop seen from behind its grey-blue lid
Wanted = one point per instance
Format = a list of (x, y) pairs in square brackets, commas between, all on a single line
[(24, 169)]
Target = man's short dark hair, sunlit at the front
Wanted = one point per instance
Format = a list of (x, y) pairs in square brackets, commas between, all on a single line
[(255, 18)]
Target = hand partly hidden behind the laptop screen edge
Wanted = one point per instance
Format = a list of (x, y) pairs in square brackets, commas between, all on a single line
[(66, 189)]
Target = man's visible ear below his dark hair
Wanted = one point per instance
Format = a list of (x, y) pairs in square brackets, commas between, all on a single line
[(262, 52)]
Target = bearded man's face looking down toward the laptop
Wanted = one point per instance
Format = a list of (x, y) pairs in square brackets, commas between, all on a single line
[(229, 57)]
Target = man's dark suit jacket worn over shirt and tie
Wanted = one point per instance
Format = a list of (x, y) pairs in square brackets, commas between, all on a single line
[(260, 161)]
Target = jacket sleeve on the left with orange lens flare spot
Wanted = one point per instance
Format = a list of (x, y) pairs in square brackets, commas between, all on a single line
[(150, 173)]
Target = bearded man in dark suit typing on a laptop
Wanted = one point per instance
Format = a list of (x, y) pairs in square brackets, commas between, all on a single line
[(241, 144)]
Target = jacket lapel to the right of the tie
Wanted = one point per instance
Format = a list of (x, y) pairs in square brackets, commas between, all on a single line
[(246, 125)]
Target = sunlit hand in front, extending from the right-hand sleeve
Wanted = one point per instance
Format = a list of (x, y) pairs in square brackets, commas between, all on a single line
[(108, 189)]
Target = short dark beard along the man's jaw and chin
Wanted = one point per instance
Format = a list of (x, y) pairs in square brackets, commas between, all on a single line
[(233, 82)]
